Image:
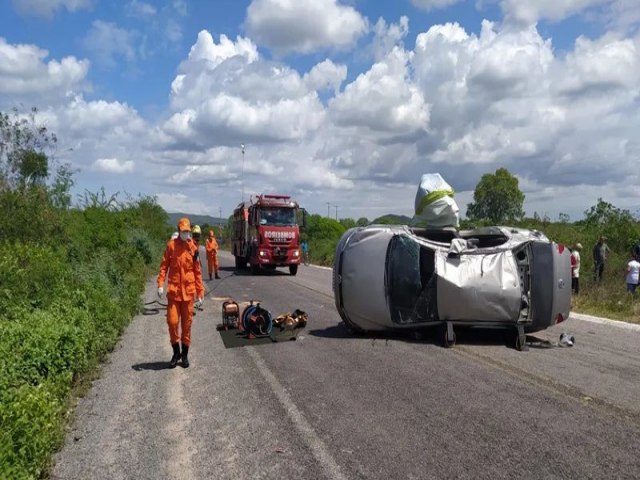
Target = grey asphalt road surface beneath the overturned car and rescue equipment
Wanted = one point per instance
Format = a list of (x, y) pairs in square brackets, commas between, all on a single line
[(332, 405)]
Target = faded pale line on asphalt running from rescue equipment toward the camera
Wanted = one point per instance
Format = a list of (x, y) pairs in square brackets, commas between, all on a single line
[(317, 446)]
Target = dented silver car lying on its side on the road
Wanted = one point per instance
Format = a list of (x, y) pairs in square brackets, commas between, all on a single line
[(401, 277)]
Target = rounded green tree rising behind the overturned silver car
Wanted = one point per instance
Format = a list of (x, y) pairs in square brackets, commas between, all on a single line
[(497, 198)]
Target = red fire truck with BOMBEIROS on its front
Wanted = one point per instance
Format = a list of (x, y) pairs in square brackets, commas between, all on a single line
[(266, 233)]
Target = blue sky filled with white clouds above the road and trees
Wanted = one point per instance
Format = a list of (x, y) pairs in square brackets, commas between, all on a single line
[(346, 102)]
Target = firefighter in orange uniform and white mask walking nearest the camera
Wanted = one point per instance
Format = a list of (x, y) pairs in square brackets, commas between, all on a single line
[(181, 264)]
